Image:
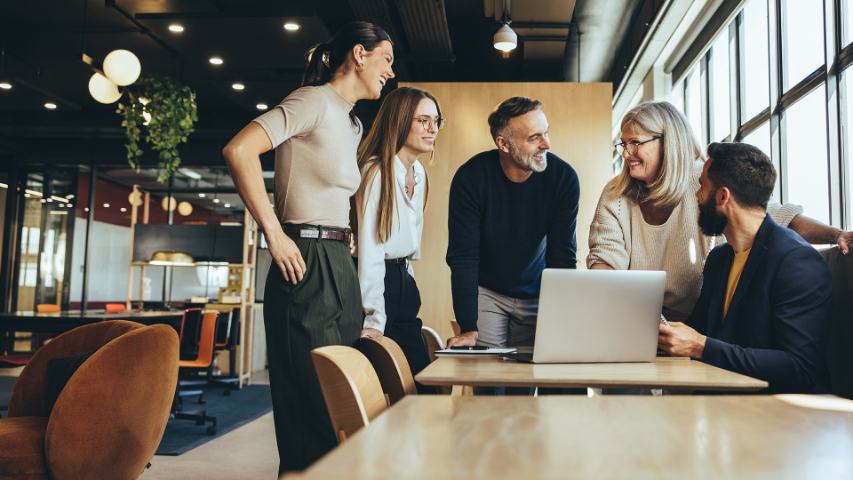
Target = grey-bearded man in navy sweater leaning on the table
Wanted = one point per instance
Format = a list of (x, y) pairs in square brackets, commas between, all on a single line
[(513, 212)]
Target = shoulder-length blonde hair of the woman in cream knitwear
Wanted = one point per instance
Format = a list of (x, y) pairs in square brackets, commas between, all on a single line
[(679, 152)]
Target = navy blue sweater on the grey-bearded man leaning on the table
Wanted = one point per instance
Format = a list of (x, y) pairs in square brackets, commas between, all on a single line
[(503, 234)]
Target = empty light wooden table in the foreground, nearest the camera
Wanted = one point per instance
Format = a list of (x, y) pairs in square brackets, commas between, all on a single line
[(434, 437)]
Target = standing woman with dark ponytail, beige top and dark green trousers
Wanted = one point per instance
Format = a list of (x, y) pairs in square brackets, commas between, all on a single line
[(312, 296)]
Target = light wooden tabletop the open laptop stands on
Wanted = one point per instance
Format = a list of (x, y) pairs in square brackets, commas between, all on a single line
[(666, 373)]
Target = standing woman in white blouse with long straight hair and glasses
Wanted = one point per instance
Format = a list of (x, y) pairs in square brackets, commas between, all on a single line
[(390, 204)]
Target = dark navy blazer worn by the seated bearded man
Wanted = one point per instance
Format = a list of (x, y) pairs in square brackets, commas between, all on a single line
[(778, 319)]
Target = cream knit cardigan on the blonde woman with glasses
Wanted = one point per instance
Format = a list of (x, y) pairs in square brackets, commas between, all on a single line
[(621, 238)]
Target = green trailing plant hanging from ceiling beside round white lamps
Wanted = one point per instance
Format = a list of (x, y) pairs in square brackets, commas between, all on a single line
[(164, 112)]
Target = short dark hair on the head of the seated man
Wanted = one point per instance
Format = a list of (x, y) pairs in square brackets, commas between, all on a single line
[(745, 170)]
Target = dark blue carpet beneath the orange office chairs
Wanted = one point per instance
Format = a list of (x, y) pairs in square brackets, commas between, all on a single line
[(231, 411)]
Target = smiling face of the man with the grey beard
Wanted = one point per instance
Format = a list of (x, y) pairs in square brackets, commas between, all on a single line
[(527, 141)]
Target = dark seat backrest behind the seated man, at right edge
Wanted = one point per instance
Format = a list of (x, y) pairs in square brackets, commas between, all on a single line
[(840, 344)]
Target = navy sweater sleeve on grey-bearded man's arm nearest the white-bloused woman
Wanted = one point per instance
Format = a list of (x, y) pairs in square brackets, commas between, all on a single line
[(463, 249)]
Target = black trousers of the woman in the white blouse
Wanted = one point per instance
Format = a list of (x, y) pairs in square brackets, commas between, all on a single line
[(402, 303)]
